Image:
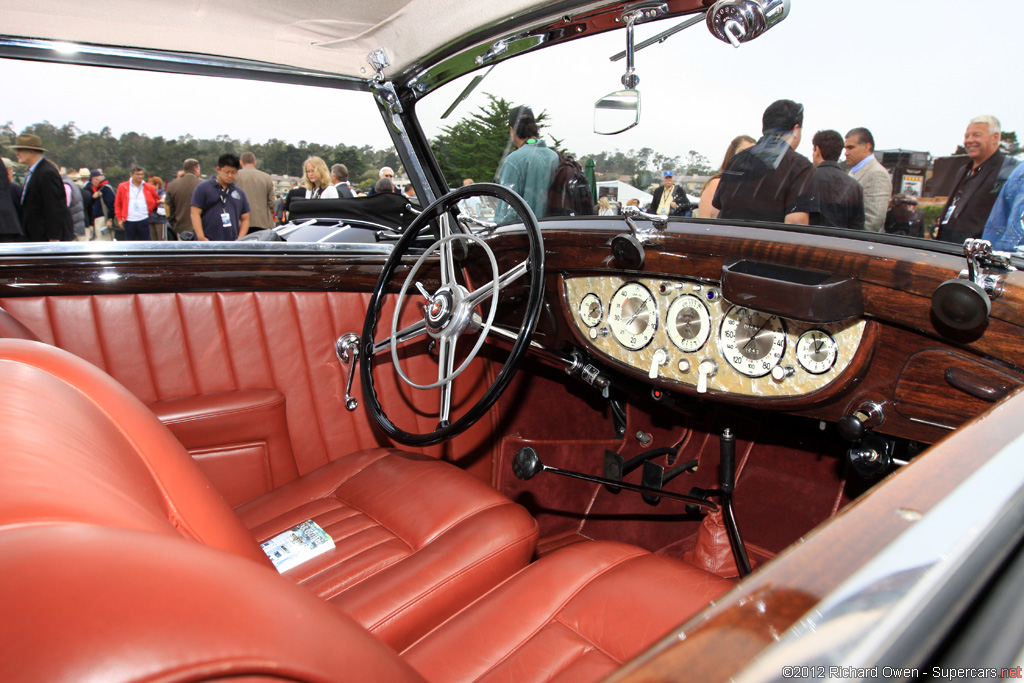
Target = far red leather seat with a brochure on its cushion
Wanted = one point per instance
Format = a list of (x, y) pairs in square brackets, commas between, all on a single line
[(416, 538)]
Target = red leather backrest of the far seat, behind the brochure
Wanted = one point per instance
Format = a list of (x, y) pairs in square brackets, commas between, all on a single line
[(80, 450)]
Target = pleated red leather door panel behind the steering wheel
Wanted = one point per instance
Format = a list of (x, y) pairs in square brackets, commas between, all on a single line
[(172, 346)]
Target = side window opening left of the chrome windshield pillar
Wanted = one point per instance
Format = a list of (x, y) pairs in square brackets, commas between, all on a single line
[(97, 124)]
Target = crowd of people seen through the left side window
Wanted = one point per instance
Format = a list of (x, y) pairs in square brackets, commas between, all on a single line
[(56, 206)]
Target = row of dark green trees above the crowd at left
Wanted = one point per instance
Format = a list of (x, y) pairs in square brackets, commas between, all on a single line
[(69, 147)]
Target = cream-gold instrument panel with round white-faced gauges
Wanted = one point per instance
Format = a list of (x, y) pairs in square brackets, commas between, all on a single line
[(685, 332)]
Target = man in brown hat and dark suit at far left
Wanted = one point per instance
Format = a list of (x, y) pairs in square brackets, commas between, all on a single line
[(45, 207)]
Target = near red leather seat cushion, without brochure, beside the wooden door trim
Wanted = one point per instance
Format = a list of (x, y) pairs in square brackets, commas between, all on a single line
[(577, 615)]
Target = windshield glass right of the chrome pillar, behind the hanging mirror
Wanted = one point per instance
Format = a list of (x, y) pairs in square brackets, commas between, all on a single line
[(878, 117)]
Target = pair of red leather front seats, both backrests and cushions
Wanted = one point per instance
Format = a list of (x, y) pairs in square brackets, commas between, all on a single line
[(120, 563)]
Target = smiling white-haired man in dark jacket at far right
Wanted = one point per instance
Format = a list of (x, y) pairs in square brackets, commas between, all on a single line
[(978, 183)]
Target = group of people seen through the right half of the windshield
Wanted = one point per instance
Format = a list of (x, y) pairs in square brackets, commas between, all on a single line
[(769, 181)]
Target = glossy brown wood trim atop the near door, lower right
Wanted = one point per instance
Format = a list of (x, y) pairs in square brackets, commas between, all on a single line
[(719, 644)]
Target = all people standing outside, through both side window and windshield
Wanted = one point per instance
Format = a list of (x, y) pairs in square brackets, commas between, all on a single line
[(764, 180)]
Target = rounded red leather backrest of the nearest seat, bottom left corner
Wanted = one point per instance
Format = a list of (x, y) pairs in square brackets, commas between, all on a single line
[(89, 604)]
